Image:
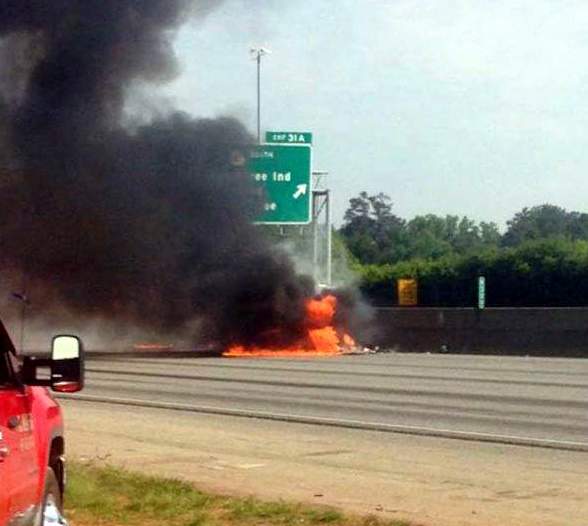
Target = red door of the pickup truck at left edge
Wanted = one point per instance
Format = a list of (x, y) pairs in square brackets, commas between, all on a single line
[(18, 463)]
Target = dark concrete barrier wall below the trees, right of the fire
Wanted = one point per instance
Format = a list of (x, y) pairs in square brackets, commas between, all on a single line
[(520, 331)]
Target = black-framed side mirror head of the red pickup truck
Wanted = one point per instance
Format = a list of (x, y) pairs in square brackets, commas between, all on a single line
[(67, 364)]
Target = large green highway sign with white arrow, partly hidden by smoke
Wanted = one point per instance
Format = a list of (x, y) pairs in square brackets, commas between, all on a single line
[(284, 174)]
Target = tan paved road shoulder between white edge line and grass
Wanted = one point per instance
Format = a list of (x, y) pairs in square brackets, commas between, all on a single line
[(436, 482)]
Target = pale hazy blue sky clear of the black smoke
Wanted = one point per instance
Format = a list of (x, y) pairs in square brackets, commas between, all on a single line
[(475, 108)]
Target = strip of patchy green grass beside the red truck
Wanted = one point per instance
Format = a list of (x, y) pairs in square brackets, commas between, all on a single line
[(110, 496)]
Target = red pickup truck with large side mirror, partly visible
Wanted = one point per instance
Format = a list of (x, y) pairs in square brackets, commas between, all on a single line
[(32, 445)]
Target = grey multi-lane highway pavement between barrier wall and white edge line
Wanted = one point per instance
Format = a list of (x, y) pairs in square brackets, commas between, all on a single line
[(533, 401)]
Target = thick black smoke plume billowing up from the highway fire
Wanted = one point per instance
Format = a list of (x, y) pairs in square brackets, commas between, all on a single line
[(149, 225)]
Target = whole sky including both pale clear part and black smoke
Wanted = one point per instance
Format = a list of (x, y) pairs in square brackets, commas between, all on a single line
[(113, 203)]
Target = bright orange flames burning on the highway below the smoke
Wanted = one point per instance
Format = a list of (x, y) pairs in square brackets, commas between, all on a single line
[(321, 339)]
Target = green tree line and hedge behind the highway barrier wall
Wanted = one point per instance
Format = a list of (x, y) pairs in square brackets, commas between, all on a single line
[(540, 260)]
